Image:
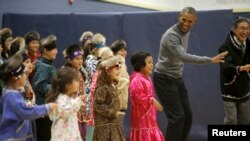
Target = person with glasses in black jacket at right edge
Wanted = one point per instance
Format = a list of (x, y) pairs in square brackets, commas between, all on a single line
[(234, 73)]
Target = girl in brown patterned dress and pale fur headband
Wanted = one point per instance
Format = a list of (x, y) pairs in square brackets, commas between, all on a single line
[(106, 103)]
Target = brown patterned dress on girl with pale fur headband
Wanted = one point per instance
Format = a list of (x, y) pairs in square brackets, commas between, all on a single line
[(106, 105)]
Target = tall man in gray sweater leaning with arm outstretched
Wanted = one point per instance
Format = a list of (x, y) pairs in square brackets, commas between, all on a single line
[(167, 78)]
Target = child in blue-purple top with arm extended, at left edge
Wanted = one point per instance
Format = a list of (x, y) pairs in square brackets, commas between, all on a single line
[(15, 113)]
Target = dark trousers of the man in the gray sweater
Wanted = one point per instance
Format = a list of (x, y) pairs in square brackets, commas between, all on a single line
[(173, 96)]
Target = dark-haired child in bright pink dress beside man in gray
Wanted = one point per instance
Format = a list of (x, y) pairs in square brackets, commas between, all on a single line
[(144, 105)]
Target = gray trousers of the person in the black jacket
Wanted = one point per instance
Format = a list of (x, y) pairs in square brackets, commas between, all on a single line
[(236, 112)]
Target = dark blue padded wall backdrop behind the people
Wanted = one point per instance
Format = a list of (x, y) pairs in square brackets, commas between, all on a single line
[(143, 31)]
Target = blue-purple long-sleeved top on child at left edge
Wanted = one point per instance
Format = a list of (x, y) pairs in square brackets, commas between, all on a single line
[(16, 116)]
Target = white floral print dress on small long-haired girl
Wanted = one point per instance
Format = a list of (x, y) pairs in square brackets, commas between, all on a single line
[(65, 123)]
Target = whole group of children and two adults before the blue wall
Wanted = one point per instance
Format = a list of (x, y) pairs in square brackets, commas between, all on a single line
[(86, 99)]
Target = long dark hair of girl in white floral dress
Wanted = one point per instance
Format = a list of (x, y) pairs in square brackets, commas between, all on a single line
[(64, 76)]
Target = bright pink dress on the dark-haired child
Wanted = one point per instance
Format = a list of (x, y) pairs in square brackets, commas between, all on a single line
[(144, 125)]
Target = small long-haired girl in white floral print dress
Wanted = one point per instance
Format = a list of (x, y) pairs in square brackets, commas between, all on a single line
[(65, 124)]
